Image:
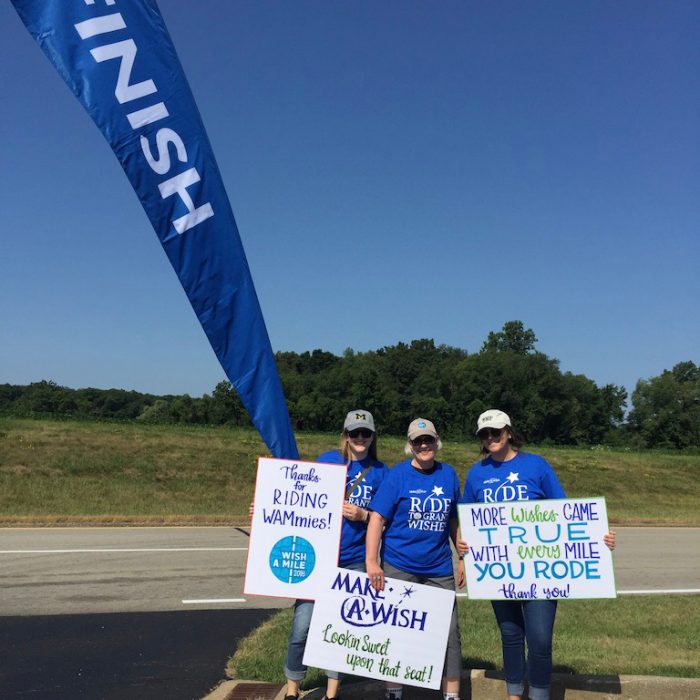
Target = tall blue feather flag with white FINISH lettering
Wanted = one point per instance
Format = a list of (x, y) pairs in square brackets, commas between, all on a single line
[(119, 61)]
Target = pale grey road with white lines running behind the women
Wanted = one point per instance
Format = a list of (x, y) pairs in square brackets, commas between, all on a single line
[(98, 570)]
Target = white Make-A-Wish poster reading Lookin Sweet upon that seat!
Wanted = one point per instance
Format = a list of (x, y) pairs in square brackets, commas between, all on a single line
[(398, 635)]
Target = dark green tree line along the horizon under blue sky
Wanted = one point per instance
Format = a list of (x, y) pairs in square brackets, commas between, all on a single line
[(400, 382)]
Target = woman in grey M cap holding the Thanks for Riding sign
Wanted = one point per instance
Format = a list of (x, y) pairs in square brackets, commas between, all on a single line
[(358, 450)]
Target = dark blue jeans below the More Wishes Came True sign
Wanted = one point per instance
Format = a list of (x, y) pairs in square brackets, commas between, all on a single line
[(531, 621)]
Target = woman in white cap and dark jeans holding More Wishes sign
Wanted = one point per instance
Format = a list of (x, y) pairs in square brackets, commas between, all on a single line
[(507, 474)]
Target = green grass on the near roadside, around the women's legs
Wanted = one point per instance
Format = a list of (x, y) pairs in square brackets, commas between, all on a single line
[(627, 636)]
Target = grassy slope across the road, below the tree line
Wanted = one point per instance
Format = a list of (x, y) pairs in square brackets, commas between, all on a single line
[(65, 471)]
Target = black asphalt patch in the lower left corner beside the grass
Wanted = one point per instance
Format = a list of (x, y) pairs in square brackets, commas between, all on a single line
[(120, 656)]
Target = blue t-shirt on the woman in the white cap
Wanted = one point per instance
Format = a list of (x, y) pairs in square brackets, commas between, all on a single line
[(526, 477)]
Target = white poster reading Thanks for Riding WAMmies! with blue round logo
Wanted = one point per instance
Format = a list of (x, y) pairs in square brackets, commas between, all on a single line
[(295, 533)]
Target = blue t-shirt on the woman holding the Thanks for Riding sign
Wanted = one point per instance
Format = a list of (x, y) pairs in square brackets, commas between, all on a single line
[(354, 532)]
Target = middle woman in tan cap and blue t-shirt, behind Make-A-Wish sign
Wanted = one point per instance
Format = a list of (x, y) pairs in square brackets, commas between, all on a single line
[(416, 543)]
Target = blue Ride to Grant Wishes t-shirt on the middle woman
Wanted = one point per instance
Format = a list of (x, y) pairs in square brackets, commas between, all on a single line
[(418, 507)]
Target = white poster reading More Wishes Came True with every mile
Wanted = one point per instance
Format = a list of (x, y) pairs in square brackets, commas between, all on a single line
[(547, 549)]
